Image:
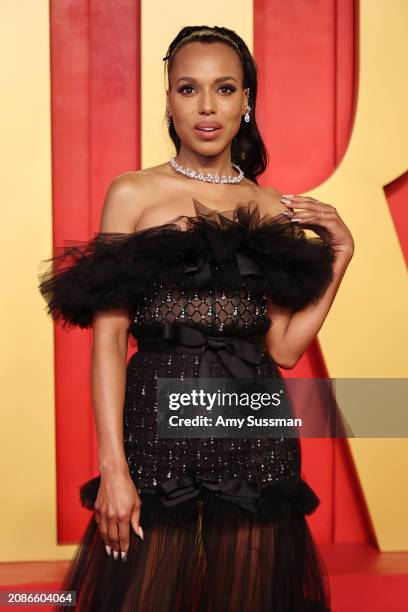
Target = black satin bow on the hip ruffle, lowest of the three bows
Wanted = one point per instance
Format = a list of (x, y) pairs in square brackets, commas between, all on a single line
[(243, 493)]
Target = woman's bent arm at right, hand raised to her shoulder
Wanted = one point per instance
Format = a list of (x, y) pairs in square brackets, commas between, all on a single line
[(291, 333)]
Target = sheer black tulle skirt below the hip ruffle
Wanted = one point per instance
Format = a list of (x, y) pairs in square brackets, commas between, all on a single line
[(212, 562)]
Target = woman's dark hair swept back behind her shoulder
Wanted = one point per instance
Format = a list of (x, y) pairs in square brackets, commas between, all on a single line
[(247, 149)]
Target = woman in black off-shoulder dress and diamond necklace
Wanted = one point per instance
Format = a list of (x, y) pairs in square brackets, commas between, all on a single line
[(167, 532)]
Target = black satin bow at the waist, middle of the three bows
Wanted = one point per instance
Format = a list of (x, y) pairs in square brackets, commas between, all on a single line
[(239, 356)]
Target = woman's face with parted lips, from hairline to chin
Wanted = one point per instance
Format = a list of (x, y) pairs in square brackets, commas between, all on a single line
[(206, 89)]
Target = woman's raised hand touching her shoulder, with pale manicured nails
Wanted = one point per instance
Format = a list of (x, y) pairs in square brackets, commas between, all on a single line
[(324, 220)]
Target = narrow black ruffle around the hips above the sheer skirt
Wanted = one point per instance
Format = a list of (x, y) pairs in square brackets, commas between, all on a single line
[(275, 499)]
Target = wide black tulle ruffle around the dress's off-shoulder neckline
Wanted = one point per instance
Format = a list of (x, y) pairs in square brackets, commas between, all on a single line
[(219, 249)]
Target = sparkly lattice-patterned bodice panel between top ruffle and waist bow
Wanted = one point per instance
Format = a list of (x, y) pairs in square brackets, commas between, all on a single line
[(216, 310)]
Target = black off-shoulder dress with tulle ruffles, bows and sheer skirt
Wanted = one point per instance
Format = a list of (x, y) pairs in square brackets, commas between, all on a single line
[(223, 518)]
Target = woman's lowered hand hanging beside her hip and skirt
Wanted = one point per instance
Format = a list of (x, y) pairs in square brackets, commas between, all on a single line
[(117, 504)]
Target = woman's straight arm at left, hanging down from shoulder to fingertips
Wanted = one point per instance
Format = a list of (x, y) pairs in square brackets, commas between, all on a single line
[(118, 504)]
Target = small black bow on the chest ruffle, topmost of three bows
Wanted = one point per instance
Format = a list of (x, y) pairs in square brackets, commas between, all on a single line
[(236, 265)]
